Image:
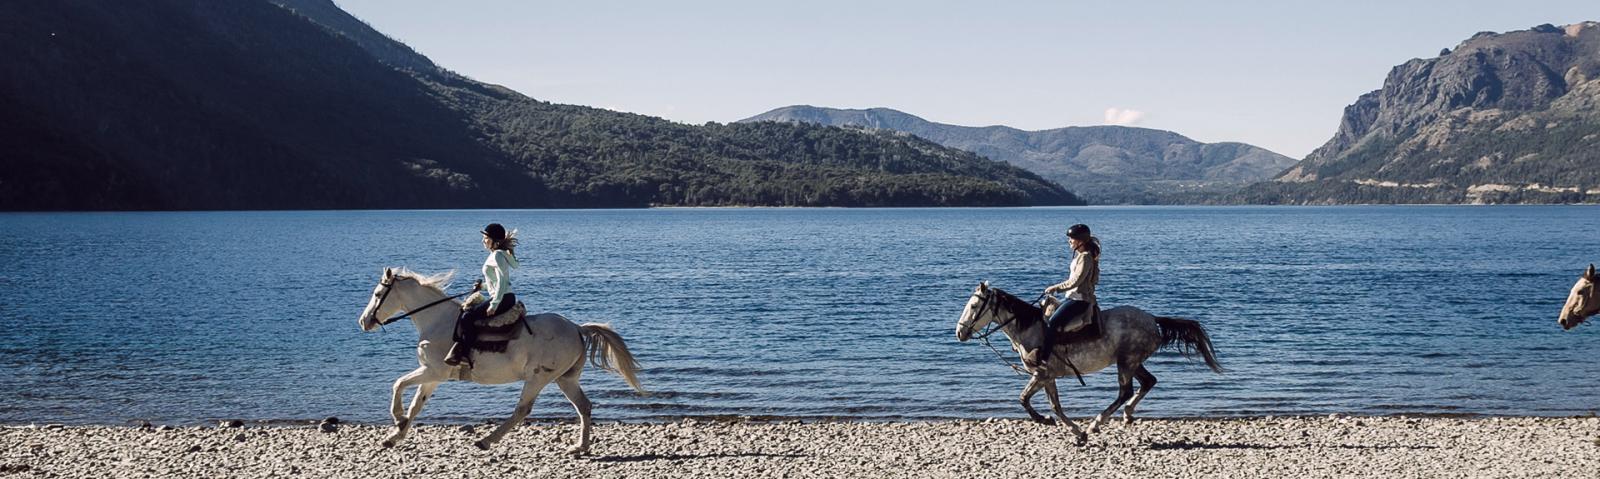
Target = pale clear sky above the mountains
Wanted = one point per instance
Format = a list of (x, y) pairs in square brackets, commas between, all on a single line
[(1274, 74)]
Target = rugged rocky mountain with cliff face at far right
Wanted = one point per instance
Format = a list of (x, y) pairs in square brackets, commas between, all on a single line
[(1502, 118)]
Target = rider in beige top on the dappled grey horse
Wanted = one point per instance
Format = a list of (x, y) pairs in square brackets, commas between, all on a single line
[(1081, 294)]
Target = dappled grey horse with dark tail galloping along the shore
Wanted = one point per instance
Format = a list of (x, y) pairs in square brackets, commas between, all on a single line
[(1127, 339)]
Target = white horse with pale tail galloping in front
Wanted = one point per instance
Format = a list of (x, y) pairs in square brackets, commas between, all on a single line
[(551, 348)]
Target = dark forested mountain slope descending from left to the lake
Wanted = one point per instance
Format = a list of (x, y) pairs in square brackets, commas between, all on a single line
[(194, 105)]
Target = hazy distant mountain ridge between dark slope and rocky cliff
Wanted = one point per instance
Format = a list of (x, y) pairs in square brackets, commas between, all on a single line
[(1103, 164)]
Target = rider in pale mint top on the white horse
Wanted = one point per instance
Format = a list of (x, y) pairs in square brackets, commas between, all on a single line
[(497, 276)]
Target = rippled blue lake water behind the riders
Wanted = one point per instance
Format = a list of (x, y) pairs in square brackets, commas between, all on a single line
[(182, 318)]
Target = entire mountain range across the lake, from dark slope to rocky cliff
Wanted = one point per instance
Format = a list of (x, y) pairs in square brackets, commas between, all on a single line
[(190, 105)]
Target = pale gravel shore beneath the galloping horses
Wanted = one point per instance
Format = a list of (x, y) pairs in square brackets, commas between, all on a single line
[(1246, 448)]
